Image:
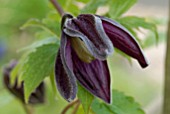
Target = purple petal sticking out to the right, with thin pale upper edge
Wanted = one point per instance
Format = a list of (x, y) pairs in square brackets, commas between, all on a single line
[(123, 40)]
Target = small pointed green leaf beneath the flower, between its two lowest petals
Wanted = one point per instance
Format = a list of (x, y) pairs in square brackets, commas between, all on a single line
[(85, 98)]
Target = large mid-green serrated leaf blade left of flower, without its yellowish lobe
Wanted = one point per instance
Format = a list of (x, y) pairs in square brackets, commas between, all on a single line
[(39, 64)]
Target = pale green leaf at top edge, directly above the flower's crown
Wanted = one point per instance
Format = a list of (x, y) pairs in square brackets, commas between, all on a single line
[(93, 5)]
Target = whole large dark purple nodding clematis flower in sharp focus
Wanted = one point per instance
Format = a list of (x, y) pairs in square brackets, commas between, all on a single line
[(86, 42)]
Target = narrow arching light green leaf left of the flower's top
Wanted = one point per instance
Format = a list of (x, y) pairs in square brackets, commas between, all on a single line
[(39, 24)]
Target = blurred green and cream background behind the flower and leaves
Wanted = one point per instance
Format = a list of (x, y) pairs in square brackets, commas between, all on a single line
[(146, 85)]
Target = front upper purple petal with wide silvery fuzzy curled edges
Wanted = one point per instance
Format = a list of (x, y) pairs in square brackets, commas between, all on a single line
[(89, 28)]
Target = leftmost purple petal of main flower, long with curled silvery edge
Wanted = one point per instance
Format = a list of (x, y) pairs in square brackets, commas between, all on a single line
[(65, 79)]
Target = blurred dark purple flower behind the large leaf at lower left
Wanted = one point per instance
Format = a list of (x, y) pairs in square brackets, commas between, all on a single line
[(36, 97)]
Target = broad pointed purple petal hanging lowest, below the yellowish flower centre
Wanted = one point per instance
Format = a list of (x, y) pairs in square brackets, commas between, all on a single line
[(94, 76)]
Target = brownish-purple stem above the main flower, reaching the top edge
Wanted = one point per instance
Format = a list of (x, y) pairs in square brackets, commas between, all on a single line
[(58, 7)]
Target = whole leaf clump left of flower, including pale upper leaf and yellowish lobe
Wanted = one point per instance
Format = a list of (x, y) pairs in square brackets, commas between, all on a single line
[(41, 55)]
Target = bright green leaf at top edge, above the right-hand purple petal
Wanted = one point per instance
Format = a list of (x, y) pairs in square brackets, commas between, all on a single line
[(119, 7)]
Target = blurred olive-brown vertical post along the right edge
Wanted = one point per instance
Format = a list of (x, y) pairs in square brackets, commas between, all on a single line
[(166, 107)]
